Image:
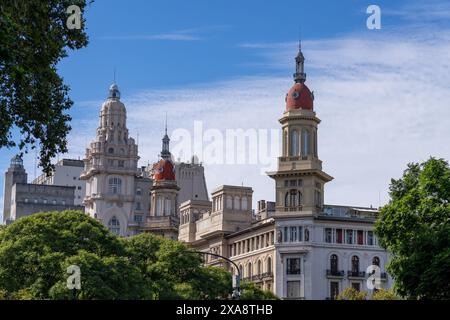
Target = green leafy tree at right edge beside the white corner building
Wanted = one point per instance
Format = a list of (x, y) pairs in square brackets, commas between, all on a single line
[(415, 227)]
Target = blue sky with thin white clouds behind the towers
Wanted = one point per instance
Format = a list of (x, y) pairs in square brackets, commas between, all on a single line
[(383, 95)]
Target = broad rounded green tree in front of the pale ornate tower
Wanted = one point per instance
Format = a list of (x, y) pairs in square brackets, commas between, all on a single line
[(35, 252)]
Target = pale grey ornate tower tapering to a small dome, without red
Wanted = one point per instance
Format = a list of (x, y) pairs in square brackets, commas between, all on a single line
[(111, 168)]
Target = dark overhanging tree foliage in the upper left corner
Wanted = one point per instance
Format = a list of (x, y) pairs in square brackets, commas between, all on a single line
[(33, 97)]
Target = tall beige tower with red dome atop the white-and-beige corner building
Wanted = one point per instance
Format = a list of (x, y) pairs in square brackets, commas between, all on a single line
[(299, 177)]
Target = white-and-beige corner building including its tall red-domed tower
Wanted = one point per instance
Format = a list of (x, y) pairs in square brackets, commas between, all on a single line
[(297, 246)]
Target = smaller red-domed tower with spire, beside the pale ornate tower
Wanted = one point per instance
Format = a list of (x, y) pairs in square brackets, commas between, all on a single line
[(163, 218)]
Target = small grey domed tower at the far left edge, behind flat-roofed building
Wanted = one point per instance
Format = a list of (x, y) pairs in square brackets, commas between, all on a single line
[(15, 174)]
